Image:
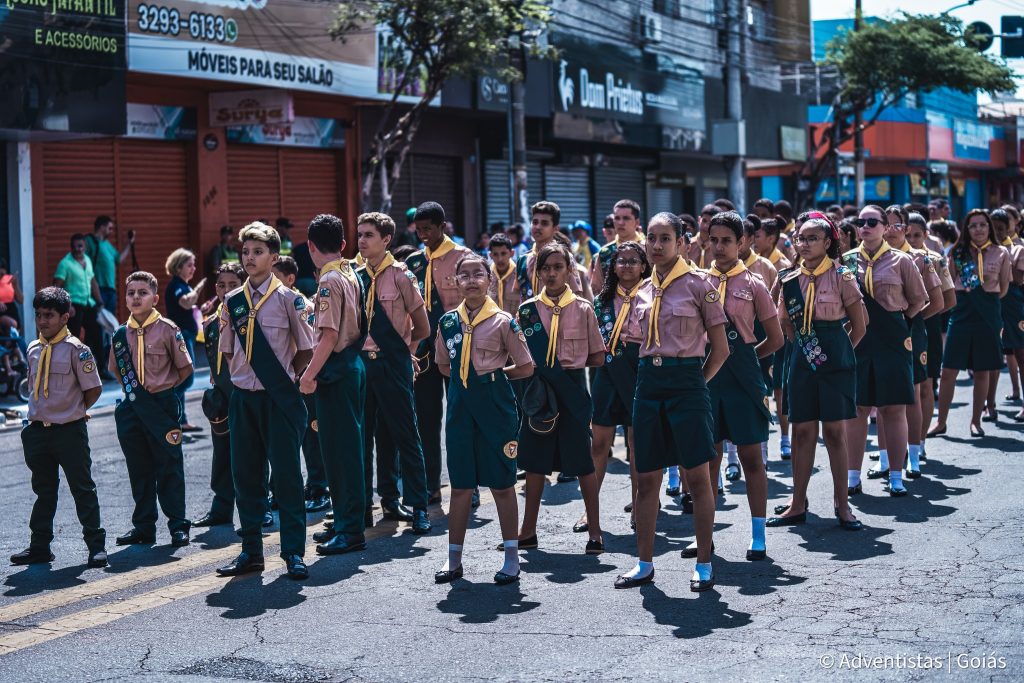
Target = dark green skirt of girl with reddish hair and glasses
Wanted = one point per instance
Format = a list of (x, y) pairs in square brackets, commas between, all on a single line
[(829, 394)]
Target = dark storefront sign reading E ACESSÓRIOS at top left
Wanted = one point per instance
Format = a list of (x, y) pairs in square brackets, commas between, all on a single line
[(63, 66)]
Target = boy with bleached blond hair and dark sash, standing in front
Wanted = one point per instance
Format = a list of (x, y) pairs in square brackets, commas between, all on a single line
[(267, 341)]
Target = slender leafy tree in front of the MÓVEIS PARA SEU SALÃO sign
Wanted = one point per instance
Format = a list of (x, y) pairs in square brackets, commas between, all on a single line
[(430, 42)]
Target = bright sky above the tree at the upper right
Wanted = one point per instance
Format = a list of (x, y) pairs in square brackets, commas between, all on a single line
[(989, 12)]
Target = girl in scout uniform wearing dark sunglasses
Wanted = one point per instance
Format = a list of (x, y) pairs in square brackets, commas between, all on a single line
[(894, 292)]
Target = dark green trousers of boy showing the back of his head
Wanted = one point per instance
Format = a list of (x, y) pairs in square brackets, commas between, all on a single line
[(339, 419)]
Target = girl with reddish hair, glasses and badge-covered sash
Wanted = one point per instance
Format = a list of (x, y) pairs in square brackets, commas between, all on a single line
[(818, 298)]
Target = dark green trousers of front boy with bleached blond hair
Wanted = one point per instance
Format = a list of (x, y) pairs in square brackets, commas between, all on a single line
[(261, 435)]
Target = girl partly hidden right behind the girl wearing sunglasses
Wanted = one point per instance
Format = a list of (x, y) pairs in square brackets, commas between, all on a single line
[(899, 220)]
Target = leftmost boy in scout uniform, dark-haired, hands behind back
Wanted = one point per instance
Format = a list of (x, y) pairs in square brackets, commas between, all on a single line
[(65, 385)]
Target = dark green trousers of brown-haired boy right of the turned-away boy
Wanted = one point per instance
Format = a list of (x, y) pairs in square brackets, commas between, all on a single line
[(391, 382)]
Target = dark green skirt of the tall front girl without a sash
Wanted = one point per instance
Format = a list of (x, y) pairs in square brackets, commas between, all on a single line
[(672, 423)]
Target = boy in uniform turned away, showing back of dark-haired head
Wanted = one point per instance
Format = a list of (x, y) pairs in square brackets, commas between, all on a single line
[(337, 380)]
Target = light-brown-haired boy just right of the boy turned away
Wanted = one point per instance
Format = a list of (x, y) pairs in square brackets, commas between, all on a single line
[(397, 323)]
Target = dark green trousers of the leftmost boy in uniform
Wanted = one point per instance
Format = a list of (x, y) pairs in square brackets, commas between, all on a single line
[(48, 451)]
